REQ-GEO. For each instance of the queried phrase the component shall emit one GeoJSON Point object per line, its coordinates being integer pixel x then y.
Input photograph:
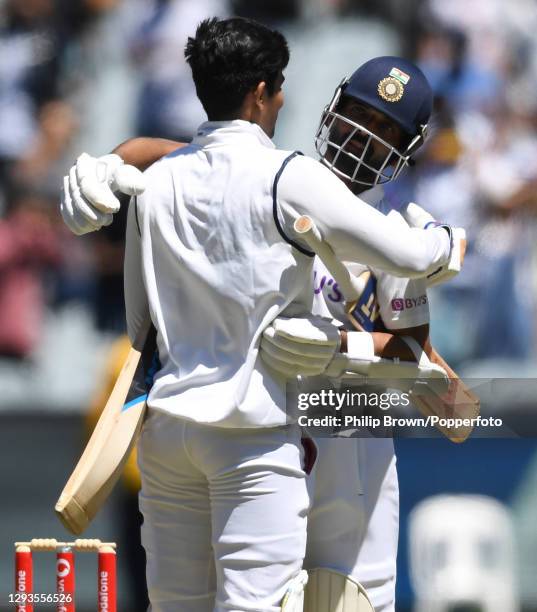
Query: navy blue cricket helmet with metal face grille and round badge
{"type": "Point", "coordinates": [398, 89]}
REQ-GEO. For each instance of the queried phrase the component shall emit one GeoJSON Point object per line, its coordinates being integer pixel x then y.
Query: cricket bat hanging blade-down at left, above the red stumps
{"type": "Point", "coordinates": [112, 440]}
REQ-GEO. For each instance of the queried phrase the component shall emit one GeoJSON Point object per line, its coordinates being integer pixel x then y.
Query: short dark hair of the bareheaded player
{"type": "Point", "coordinates": [229, 57]}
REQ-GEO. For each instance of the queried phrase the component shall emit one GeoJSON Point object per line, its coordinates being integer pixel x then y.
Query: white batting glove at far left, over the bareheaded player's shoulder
{"type": "Point", "coordinates": [88, 201]}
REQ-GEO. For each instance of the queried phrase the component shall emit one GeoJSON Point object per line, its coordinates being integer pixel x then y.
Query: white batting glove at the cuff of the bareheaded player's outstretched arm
{"type": "Point", "coordinates": [416, 216]}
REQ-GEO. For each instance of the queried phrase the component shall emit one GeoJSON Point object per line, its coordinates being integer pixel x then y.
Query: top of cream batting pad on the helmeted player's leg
{"type": "Point", "coordinates": [330, 591]}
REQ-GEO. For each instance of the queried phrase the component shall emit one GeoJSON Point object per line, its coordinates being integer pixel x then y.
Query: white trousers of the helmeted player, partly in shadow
{"type": "Point", "coordinates": [353, 525]}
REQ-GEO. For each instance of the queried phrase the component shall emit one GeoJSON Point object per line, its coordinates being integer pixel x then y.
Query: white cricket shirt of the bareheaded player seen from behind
{"type": "Point", "coordinates": [207, 253]}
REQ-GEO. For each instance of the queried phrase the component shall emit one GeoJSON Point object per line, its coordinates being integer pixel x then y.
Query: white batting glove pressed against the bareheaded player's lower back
{"type": "Point", "coordinates": [299, 346]}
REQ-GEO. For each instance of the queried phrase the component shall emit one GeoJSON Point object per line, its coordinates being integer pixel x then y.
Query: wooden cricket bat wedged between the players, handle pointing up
{"type": "Point", "coordinates": [460, 402]}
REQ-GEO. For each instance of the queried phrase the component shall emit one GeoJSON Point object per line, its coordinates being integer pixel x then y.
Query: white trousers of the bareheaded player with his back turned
{"type": "Point", "coordinates": [224, 514]}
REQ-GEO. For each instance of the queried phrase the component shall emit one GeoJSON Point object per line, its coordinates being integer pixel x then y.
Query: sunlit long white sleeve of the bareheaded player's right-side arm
{"type": "Point", "coordinates": [355, 230]}
